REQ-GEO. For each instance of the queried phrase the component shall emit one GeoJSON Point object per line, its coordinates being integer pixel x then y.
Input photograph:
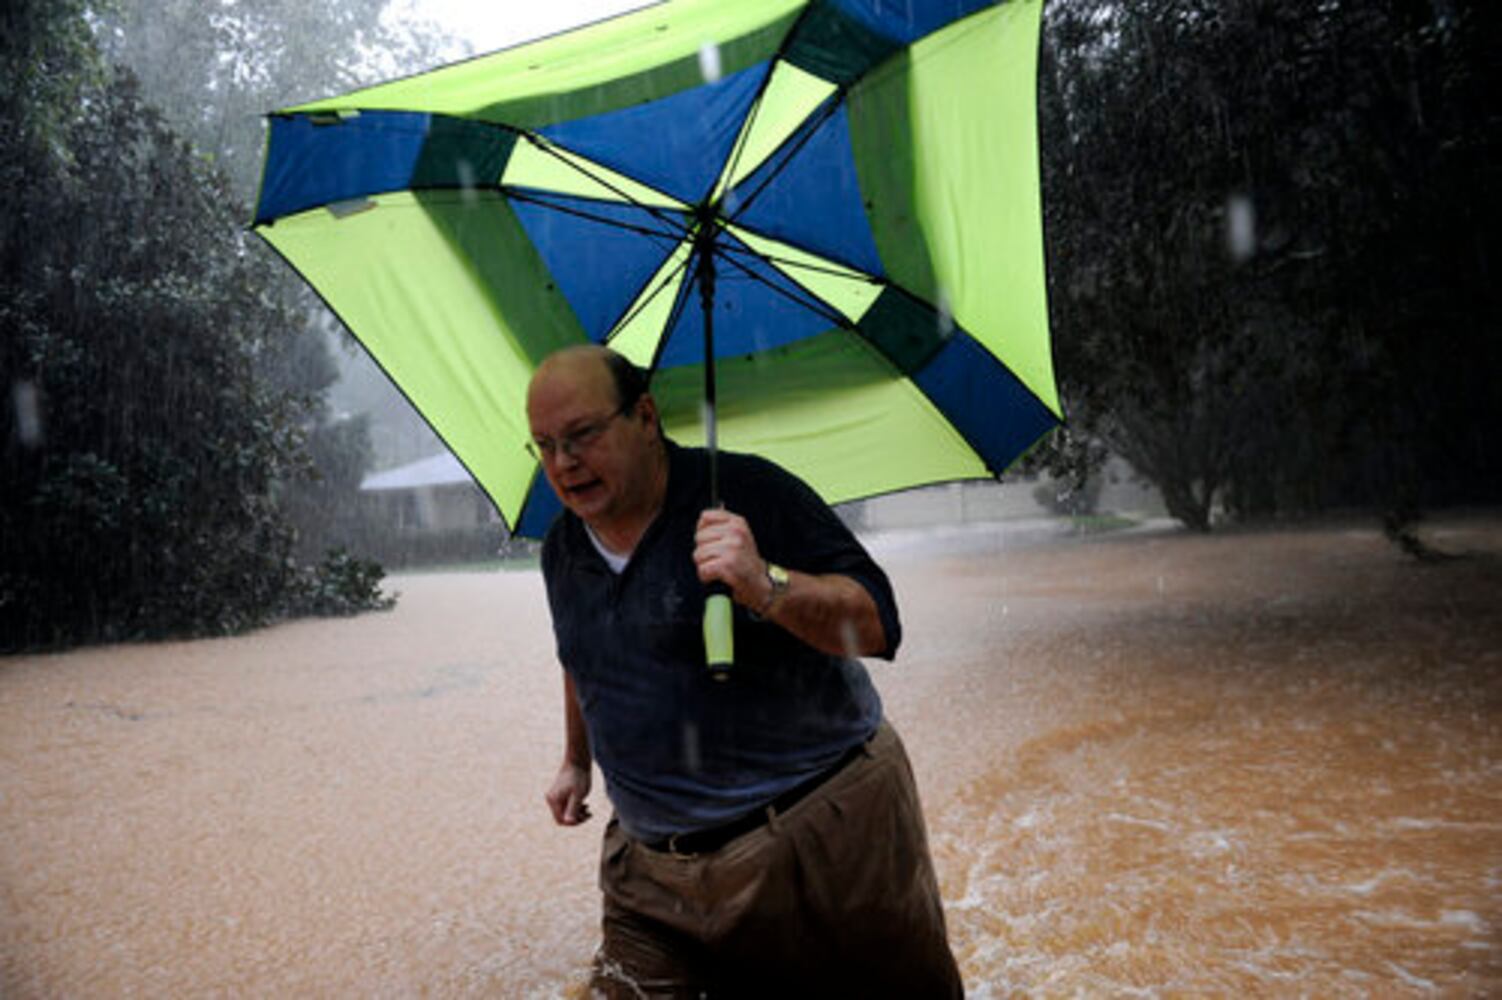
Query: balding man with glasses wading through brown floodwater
{"type": "Point", "coordinates": [768, 834]}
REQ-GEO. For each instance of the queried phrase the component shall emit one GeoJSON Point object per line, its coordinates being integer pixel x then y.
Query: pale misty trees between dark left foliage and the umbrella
{"type": "Point", "coordinates": [216, 73]}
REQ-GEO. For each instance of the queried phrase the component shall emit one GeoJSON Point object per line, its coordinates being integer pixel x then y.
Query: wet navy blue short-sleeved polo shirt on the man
{"type": "Point", "coordinates": [680, 750]}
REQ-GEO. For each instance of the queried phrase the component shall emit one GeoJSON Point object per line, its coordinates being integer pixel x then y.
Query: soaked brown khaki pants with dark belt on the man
{"type": "Point", "coordinates": [836, 897]}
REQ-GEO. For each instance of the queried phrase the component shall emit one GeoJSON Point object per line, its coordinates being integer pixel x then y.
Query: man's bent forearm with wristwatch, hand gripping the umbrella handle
{"type": "Point", "coordinates": [833, 613]}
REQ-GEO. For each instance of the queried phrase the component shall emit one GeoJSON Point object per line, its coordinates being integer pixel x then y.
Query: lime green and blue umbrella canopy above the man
{"type": "Point", "coordinates": [842, 194]}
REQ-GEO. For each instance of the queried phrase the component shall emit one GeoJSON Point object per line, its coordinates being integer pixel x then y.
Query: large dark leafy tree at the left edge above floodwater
{"type": "Point", "coordinates": [143, 442]}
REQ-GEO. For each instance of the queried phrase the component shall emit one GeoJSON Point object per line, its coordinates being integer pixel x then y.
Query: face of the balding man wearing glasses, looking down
{"type": "Point", "coordinates": [597, 457]}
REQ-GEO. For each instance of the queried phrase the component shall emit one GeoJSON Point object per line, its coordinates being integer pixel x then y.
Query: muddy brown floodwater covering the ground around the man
{"type": "Point", "coordinates": [1261, 764]}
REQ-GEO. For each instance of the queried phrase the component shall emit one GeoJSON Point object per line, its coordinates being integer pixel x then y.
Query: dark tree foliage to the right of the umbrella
{"type": "Point", "coordinates": [1271, 235]}
